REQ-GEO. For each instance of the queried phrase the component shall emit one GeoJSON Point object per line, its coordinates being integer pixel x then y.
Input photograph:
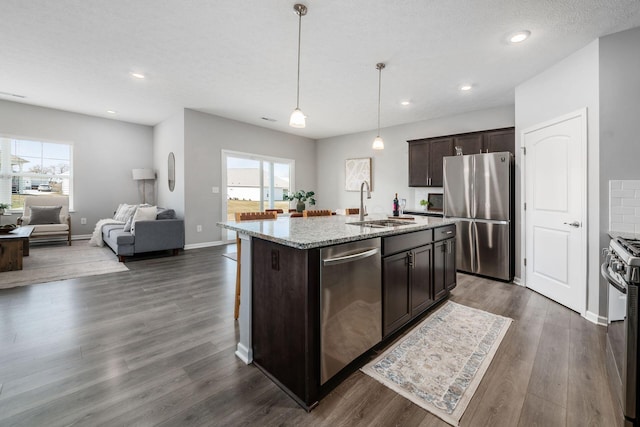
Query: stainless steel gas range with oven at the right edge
{"type": "Point", "coordinates": [622, 270]}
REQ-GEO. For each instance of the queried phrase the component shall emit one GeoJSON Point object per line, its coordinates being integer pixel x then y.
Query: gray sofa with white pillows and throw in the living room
{"type": "Point", "coordinates": [150, 236]}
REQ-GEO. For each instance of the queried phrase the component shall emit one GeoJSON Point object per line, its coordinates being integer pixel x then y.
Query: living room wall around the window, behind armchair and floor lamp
{"type": "Point", "coordinates": [104, 153]}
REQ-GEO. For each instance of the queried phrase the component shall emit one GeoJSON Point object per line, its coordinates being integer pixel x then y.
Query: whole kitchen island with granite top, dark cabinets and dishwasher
{"type": "Point", "coordinates": [291, 319]}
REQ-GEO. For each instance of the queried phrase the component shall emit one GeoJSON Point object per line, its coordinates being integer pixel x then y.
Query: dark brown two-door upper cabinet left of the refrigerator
{"type": "Point", "coordinates": [425, 161]}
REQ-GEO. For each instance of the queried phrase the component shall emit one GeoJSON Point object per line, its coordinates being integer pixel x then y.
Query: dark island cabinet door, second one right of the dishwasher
{"type": "Point", "coordinates": [420, 267]}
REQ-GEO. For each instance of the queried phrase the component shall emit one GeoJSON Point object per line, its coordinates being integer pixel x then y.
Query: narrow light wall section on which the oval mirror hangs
{"type": "Point", "coordinates": [168, 137]}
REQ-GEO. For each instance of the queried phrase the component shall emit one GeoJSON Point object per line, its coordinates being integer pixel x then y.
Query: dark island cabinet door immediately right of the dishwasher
{"type": "Point", "coordinates": [396, 307]}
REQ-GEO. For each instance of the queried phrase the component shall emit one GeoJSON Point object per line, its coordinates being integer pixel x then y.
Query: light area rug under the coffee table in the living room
{"type": "Point", "coordinates": [48, 263]}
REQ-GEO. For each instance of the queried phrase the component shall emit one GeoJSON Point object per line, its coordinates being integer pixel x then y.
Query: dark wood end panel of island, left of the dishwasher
{"type": "Point", "coordinates": [285, 323]}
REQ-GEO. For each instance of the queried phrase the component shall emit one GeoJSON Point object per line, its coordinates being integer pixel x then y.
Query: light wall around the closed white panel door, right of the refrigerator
{"type": "Point", "coordinates": [568, 86]}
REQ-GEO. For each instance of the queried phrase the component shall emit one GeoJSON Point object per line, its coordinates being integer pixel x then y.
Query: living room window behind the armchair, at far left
{"type": "Point", "coordinates": [34, 168]}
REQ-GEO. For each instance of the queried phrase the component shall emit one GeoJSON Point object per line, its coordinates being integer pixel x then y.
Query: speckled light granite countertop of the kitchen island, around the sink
{"type": "Point", "coordinates": [315, 232]}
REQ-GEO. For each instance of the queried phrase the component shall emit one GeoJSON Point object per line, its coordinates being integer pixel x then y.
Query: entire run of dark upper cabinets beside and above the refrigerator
{"type": "Point", "coordinates": [425, 155]}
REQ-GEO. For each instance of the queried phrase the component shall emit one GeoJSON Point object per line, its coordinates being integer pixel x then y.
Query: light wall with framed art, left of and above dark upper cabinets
{"type": "Point", "coordinates": [390, 166]}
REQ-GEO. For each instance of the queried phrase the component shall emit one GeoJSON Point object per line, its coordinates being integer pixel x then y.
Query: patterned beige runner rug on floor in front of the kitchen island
{"type": "Point", "coordinates": [439, 363]}
